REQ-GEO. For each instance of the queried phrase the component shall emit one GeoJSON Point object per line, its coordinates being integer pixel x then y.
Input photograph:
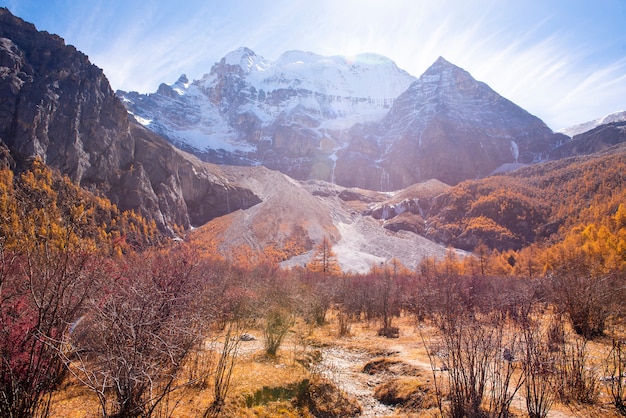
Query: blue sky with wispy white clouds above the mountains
{"type": "Point", "coordinates": [562, 60]}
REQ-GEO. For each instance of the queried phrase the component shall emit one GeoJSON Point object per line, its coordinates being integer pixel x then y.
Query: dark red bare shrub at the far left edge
{"type": "Point", "coordinates": [42, 293]}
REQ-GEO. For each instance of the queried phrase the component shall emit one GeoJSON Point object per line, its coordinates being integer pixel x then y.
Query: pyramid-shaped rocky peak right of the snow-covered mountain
{"type": "Point", "coordinates": [446, 126]}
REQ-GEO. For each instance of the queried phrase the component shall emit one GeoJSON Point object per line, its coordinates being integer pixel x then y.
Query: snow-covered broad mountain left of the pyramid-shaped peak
{"type": "Point", "coordinates": [246, 99]}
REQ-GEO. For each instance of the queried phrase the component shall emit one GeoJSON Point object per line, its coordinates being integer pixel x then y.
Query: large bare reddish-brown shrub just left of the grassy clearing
{"type": "Point", "coordinates": [132, 346]}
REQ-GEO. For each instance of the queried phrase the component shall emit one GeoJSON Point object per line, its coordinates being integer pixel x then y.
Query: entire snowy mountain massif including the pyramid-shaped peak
{"type": "Point", "coordinates": [363, 123]}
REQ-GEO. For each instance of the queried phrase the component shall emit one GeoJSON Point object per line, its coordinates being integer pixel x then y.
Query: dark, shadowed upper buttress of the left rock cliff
{"type": "Point", "coordinates": [58, 106]}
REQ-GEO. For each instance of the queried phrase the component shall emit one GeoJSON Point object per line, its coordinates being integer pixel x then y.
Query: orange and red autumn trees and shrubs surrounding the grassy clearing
{"type": "Point", "coordinates": [93, 295]}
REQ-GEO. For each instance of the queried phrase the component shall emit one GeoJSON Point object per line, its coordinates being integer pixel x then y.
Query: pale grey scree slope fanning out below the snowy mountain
{"type": "Point", "coordinates": [295, 216]}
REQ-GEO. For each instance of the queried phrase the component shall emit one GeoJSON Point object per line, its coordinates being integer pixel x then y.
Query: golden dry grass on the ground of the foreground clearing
{"type": "Point", "coordinates": [396, 371]}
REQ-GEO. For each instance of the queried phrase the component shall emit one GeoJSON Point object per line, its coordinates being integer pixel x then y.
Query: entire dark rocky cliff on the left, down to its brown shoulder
{"type": "Point", "coordinates": [59, 107]}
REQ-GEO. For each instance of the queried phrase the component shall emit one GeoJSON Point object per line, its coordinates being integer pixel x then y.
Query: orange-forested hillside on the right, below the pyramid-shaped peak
{"type": "Point", "coordinates": [534, 204]}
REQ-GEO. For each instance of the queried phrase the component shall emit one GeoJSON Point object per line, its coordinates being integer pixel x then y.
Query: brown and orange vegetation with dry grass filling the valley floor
{"type": "Point", "coordinates": [133, 329]}
